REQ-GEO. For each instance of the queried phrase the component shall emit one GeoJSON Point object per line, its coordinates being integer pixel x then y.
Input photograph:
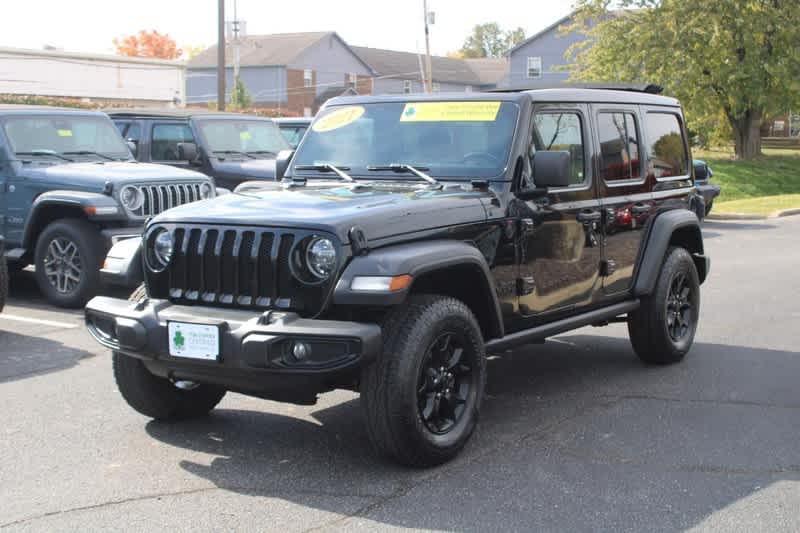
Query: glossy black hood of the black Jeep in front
{"type": "Point", "coordinates": [381, 210]}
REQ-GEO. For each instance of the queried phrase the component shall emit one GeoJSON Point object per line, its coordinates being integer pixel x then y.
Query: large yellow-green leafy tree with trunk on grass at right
{"type": "Point", "coordinates": [740, 58]}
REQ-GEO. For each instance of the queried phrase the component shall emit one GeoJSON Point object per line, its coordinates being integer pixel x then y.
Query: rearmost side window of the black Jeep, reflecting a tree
{"type": "Point", "coordinates": [666, 149]}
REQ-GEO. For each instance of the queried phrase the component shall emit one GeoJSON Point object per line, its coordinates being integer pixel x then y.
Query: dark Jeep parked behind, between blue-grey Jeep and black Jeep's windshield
{"type": "Point", "coordinates": [229, 147]}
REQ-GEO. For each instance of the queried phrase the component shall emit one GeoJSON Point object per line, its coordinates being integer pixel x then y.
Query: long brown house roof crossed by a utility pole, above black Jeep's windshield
{"type": "Point", "coordinates": [406, 65]}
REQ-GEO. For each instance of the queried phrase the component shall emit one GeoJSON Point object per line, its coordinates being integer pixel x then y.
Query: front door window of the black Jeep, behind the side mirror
{"type": "Point", "coordinates": [557, 131]}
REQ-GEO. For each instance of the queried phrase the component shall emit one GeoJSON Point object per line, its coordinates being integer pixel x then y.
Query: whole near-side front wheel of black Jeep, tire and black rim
{"type": "Point", "coordinates": [421, 398]}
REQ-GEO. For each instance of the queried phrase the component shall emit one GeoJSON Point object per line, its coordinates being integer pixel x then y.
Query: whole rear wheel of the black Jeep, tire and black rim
{"type": "Point", "coordinates": [662, 329]}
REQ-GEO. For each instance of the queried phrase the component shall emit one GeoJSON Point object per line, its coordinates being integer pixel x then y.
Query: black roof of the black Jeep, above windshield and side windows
{"type": "Point", "coordinates": [535, 95]}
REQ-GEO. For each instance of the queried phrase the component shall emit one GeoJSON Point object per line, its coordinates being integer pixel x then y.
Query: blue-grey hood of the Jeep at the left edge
{"type": "Point", "coordinates": [94, 175]}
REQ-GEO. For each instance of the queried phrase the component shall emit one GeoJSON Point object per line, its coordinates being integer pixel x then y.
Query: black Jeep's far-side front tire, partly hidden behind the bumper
{"type": "Point", "coordinates": [157, 397]}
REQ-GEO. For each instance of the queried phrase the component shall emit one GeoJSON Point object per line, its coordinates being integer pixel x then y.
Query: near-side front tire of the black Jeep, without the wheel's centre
{"type": "Point", "coordinates": [389, 394]}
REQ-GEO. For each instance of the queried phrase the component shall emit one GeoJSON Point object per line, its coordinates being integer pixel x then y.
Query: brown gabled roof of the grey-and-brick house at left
{"type": "Point", "coordinates": [279, 49]}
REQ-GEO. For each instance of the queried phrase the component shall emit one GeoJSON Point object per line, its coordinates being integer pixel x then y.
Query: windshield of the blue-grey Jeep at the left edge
{"type": "Point", "coordinates": [57, 135]}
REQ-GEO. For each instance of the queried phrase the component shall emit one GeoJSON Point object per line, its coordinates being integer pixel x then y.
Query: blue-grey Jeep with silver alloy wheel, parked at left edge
{"type": "Point", "coordinates": [70, 189]}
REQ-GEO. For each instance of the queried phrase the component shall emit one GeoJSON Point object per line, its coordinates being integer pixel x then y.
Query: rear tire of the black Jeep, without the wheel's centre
{"type": "Point", "coordinates": [648, 326]}
